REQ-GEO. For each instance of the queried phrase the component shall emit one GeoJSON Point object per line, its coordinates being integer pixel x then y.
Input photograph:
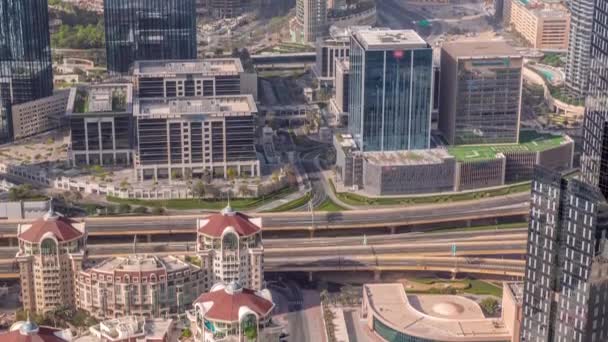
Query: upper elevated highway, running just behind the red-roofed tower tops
{"type": "Point", "coordinates": [499, 207]}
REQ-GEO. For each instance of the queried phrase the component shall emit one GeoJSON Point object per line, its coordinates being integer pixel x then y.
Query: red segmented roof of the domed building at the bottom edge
{"type": "Point", "coordinates": [228, 302]}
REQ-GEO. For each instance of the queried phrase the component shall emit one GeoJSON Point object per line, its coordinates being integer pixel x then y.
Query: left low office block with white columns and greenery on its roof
{"type": "Point", "coordinates": [101, 125]}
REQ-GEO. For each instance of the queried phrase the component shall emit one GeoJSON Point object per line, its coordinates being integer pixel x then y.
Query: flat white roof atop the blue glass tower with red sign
{"type": "Point", "coordinates": [387, 39]}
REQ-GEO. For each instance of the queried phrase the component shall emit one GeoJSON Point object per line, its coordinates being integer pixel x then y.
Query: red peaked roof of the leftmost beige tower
{"type": "Point", "coordinates": [62, 228]}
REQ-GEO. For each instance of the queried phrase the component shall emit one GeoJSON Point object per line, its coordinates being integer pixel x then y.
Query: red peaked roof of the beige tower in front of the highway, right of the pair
{"type": "Point", "coordinates": [214, 225]}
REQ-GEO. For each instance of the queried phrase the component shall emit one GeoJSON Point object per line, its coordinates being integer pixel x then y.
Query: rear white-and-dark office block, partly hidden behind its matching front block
{"type": "Point", "coordinates": [171, 78]}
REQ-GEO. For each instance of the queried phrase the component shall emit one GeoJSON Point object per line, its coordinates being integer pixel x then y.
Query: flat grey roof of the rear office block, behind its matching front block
{"type": "Point", "coordinates": [172, 68]}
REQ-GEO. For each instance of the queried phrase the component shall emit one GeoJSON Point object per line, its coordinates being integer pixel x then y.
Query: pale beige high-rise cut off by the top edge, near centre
{"type": "Point", "coordinates": [310, 22]}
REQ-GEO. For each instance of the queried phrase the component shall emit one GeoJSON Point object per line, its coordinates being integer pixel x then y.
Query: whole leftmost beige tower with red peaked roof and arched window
{"type": "Point", "coordinates": [51, 253]}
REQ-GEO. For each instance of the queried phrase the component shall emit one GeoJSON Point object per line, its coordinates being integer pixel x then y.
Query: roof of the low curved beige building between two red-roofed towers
{"type": "Point", "coordinates": [142, 263]}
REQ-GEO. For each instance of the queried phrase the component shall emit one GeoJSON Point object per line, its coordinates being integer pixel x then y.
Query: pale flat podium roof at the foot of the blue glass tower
{"type": "Point", "coordinates": [411, 157]}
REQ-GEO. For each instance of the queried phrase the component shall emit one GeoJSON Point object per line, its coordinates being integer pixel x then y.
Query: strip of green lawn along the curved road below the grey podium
{"type": "Point", "coordinates": [355, 199]}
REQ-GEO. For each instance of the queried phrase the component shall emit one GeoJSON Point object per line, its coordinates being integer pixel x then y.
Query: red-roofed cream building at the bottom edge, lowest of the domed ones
{"type": "Point", "coordinates": [233, 313]}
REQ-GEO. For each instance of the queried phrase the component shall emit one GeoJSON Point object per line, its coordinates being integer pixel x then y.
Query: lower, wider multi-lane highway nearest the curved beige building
{"type": "Point", "coordinates": [430, 251]}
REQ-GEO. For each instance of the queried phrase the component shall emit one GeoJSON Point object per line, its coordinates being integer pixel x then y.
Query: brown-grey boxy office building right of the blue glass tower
{"type": "Point", "coordinates": [481, 85]}
